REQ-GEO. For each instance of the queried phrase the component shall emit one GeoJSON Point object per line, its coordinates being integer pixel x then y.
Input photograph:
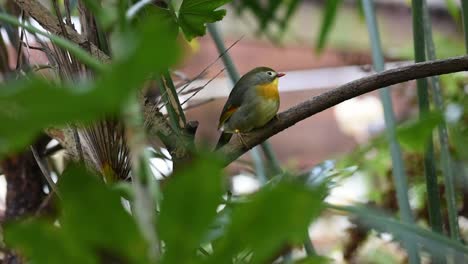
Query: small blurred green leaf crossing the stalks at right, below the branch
{"type": "Point", "coordinates": [415, 135]}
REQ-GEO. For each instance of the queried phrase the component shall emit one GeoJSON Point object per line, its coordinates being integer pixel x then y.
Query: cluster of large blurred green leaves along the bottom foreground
{"type": "Point", "coordinates": [86, 234]}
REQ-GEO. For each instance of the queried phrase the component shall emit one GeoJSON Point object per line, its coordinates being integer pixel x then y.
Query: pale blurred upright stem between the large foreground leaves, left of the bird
{"type": "Point", "coordinates": [145, 185]}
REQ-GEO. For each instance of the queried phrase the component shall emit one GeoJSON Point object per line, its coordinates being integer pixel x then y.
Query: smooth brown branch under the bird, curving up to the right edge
{"type": "Point", "coordinates": [319, 103]}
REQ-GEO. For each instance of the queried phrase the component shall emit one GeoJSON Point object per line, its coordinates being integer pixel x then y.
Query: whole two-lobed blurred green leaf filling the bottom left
{"type": "Point", "coordinates": [93, 225]}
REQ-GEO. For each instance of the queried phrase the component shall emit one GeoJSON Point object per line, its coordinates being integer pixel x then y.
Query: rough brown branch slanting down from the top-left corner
{"type": "Point", "coordinates": [49, 22]}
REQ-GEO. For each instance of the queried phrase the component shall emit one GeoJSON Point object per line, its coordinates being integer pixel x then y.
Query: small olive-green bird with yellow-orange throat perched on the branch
{"type": "Point", "coordinates": [252, 103]}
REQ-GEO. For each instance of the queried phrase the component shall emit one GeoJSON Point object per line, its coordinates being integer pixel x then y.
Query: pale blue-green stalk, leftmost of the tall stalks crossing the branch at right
{"type": "Point", "coordinates": [399, 175]}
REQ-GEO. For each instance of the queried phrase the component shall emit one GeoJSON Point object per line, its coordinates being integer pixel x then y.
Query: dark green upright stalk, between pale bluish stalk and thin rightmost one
{"type": "Point", "coordinates": [432, 187]}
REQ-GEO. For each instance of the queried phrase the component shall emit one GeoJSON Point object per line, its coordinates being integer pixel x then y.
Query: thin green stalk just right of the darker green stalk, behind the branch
{"type": "Point", "coordinates": [447, 169]}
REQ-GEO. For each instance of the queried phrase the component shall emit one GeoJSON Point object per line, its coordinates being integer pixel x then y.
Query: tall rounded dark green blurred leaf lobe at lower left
{"type": "Point", "coordinates": [87, 206]}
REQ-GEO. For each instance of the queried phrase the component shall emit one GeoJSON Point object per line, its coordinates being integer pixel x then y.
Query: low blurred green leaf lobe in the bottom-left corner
{"type": "Point", "coordinates": [42, 242]}
